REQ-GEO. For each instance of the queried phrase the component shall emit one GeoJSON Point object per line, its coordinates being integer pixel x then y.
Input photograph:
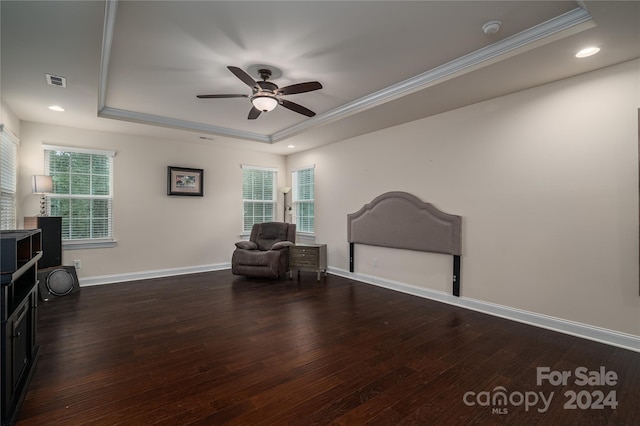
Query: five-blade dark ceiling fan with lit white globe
{"type": "Point", "coordinates": [265, 95]}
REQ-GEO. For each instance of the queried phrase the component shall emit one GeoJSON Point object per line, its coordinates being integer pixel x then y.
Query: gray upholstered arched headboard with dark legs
{"type": "Point", "coordinates": [401, 220]}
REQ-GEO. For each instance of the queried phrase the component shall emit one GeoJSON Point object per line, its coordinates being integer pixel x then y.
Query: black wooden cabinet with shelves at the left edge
{"type": "Point", "coordinates": [19, 254]}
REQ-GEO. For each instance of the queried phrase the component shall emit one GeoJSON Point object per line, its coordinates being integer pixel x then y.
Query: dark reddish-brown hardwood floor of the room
{"type": "Point", "coordinates": [214, 349]}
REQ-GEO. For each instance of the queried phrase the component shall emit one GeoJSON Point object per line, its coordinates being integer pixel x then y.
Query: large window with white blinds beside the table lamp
{"type": "Point", "coordinates": [82, 193]}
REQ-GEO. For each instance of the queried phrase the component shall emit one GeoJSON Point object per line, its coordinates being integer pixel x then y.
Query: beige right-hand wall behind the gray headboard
{"type": "Point", "coordinates": [546, 181]}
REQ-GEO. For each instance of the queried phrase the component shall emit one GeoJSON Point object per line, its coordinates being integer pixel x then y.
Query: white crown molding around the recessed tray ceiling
{"type": "Point", "coordinates": [564, 25]}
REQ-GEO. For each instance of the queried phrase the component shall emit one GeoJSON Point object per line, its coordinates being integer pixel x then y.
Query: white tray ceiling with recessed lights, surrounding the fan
{"type": "Point", "coordinates": [137, 66]}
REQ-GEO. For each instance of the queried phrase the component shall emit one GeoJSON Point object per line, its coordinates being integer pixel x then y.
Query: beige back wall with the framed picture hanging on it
{"type": "Point", "coordinates": [154, 231]}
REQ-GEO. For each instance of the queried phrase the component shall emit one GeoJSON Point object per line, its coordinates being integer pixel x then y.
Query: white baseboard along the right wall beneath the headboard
{"type": "Point", "coordinates": [585, 331]}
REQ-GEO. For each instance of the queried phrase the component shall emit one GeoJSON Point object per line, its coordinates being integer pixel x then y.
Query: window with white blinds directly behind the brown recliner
{"type": "Point", "coordinates": [258, 196]}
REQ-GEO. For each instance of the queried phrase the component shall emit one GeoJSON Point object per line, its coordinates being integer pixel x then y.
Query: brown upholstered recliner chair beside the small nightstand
{"type": "Point", "coordinates": [266, 254]}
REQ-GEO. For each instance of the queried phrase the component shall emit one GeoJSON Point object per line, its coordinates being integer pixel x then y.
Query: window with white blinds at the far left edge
{"type": "Point", "coordinates": [8, 179]}
